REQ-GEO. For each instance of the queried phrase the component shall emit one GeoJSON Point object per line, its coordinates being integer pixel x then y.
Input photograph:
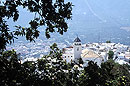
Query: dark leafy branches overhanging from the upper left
{"type": "Point", "coordinates": [49, 13]}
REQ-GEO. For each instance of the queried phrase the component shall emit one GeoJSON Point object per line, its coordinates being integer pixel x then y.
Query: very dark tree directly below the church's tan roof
{"type": "Point", "coordinates": [94, 74]}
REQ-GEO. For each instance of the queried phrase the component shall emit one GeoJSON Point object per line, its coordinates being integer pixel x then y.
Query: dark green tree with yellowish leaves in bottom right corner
{"type": "Point", "coordinates": [115, 74]}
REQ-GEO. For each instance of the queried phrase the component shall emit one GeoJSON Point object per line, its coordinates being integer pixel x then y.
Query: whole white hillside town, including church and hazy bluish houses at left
{"type": "Point", "coordinates": [97, 52]}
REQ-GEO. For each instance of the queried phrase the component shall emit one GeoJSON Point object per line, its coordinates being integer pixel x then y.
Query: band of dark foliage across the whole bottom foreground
{"type": "Point", "coordinates": [51, 70]}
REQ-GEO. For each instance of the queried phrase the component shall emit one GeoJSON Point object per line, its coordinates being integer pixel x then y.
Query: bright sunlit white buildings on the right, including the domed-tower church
{"type": "Point", "coordinates": [97, 52]}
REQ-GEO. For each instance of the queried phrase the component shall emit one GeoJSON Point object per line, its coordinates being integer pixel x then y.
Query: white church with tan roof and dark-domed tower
{"type": "Point", "coordinates": [76, 51]}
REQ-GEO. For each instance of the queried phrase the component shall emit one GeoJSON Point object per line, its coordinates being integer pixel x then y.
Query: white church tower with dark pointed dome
{"type": "Point", "coordinates": [77, 48]}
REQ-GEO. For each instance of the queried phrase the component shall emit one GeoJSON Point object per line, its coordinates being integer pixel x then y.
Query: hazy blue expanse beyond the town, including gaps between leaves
{"type": "Point", "coordinates": [93, 21]}
